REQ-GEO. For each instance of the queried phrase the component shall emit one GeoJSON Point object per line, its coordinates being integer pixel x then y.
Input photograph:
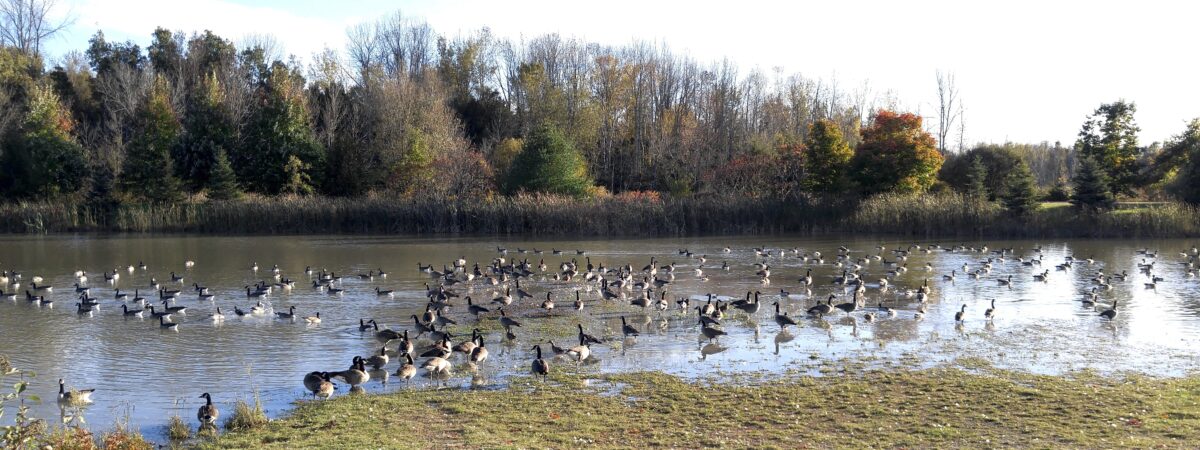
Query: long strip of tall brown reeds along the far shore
{"type": "Point", "coordinates": [931, 217]}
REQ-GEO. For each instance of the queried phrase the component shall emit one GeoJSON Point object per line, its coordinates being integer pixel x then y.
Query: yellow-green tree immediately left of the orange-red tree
{"type": "Point", "coordinates": [829, 158]}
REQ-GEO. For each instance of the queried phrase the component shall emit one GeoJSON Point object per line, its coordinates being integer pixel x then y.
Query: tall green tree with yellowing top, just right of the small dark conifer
{"type": "Point", "coordinates": [277, 133]}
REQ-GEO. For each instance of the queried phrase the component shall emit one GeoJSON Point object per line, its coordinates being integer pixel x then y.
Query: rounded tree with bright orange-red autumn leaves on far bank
{"type": "Point", "coordinates": [897, 155]}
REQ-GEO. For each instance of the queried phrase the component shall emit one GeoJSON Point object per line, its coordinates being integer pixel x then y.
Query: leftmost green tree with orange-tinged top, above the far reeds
{"type": "Point", "coordinates": [44, 160]}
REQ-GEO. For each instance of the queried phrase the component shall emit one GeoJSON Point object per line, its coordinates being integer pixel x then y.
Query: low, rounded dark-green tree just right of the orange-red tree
{"type": "Point", "coordinates": [998, 161]}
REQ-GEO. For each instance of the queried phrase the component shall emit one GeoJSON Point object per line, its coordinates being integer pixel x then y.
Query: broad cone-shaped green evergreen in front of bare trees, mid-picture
{"type": "Point", "coordinates": [549, 164]}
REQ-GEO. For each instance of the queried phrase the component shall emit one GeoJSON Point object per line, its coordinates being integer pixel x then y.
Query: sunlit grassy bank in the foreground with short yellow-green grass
{"type": "Point", "coordinates": [931, 409]}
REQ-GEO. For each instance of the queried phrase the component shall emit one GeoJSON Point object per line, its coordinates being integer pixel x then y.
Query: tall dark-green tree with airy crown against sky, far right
{"type": "Point", "coordinates": [1111, 139]}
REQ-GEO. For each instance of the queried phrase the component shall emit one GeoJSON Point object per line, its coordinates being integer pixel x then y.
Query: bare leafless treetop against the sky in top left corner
{"type": "Point", "coordinates": [25, 25]}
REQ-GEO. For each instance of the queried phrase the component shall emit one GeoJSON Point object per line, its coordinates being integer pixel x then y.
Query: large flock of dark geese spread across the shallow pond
{"type": "Point", "coordinates": [587, 284]}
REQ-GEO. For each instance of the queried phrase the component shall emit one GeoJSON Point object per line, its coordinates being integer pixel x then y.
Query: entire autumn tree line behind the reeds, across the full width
{"type": "Point", "coordinates": [409, 112]}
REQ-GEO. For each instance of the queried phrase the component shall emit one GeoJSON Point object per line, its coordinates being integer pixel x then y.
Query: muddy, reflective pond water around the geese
{"type": "Point", "coordinates": [147, 374]}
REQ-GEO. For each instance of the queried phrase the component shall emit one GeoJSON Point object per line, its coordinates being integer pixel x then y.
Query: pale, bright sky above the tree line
{"type": "Point", "coordinates": [1027, 71]}
